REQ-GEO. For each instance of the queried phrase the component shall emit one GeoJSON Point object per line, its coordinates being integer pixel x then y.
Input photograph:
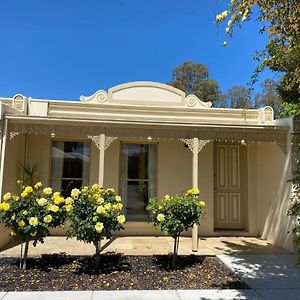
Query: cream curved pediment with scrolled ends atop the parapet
{"type": "Point", "coordinates": [146, 93]}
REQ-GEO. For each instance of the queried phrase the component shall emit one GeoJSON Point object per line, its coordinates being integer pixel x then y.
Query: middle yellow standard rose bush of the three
{"type": "Point", "coordinates": [96, 214]}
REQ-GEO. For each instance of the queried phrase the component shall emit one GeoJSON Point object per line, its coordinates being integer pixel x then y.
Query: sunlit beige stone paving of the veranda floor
{"type": "Point", "coordinates": [148, 245]}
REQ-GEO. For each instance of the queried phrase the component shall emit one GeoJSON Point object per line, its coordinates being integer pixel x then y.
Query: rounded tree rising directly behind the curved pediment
{"type": "Point", "coordinates": [193, 78]}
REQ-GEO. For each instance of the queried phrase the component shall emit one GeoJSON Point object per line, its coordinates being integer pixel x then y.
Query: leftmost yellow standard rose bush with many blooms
{"type": "Point", "coordinates": [30, 213]}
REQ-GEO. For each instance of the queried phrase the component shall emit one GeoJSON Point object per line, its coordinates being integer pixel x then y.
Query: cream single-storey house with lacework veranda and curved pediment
{"type": "Point", "coordinates": [148, 139]}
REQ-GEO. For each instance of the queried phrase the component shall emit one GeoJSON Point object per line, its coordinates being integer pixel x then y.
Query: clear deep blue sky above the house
{"type": "Point", "coordinates": [61, 49]}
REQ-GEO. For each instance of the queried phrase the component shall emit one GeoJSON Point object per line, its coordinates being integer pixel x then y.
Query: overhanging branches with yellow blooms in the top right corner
{"type": "Point", "coordinates": [281, 21]}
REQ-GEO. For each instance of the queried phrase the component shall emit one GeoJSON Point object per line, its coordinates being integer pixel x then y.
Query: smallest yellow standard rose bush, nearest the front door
{"type": "Point", "coordinates": [173, 215]}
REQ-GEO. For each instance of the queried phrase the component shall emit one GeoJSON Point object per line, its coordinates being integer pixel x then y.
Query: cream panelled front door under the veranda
{"type": "Point", "coordinates": [229, 186]}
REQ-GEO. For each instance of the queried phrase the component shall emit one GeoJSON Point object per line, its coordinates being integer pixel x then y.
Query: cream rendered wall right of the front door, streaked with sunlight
{"type": "Point", "coordinates": [274, 169]}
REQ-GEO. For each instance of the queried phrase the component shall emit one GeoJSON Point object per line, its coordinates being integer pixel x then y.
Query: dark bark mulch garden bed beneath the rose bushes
{"type": "Point", "coordinates": [117, 272]}
